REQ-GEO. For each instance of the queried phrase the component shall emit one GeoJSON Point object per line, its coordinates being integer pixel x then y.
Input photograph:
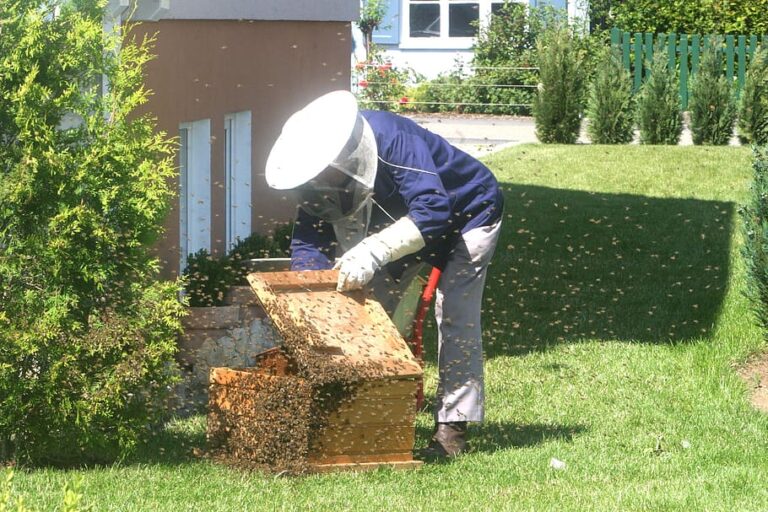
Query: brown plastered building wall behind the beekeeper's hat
{"type": "Point", "coordinates": [207, 69]}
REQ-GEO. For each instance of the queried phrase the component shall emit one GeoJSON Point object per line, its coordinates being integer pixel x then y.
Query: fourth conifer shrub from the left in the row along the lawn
{"type": "Point", "coordinates": [711, 107]}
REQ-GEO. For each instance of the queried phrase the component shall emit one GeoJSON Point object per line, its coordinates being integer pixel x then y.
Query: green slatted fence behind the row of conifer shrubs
{"type": "Point", "coordinates": [684, 53]}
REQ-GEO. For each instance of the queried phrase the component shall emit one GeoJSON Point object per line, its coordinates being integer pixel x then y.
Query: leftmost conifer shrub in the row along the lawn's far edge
{"type": "Point", "coordinates": [562, 83]}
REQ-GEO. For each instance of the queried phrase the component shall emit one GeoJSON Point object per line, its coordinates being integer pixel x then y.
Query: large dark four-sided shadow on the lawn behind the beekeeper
{"type": "Point", "coordinates": [574, 265]}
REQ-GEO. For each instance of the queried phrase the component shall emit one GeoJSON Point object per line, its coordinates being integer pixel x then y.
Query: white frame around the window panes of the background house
{"type": "Point", "coordinates": [443, 41]}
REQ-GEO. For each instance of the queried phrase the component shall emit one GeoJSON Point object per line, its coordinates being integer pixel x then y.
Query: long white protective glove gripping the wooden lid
{"type": "Point", "coordinates": [358, 265]}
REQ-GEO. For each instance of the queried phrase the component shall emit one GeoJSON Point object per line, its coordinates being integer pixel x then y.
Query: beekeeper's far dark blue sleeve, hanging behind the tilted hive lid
{"type": "Point", "coordinates": [312, 244]}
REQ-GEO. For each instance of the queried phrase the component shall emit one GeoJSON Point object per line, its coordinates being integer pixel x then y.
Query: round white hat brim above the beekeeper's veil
{"type": "Point", "coordinates": [311, 139]}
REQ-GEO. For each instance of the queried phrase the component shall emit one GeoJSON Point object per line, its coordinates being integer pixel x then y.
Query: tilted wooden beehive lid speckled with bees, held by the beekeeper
{"type": "Point", "coordinates": [349, 331]}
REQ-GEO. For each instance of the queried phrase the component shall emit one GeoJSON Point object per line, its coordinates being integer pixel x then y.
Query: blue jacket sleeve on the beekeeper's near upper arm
{"type": "Point", "coordinates": [416, 179]}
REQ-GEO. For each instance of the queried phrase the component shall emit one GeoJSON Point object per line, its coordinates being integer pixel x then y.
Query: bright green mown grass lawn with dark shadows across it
{"type": "Point", "coordinates": [614, 317]}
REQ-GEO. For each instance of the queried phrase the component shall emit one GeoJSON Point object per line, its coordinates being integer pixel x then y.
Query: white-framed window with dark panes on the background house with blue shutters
{"type": "Point", "coordinates": [447, 23]}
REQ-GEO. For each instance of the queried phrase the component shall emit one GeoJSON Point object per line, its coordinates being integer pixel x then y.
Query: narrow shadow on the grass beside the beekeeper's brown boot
{"type": "Point", "coordinates": [489, 437]}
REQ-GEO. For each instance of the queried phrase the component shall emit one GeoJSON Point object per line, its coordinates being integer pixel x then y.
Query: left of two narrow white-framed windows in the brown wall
{"type": "Point", "coordinates": [195, 188]}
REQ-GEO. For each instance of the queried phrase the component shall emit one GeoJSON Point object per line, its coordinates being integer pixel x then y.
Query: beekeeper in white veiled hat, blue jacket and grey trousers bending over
{"type": "Point", "coordinates": [379, 195]}
